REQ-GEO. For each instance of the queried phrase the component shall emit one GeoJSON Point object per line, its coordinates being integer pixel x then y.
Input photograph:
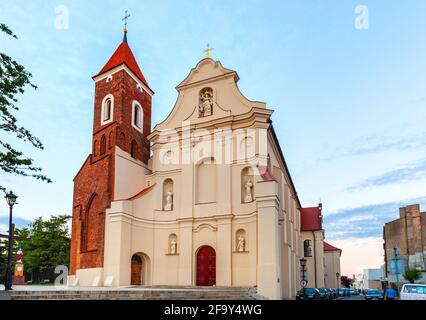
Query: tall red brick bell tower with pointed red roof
{"type": "Point", "coordinates": [122, 119]}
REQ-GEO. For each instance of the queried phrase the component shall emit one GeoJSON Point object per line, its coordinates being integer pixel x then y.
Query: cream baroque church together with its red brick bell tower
{"type": "Point", "coordinates": [204, 198]}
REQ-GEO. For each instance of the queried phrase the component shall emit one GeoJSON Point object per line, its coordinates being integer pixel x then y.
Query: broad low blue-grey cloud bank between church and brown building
{"type": "Point", "coordinates": [365, 221]}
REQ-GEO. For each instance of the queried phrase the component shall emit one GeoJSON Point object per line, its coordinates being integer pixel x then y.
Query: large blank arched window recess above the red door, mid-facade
{"type": "Point", "coordinates": [206, 181]}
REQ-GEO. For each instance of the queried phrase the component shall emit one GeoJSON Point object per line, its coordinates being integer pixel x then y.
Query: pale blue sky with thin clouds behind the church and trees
{"type": "Point", "coordinates": [349, 103]}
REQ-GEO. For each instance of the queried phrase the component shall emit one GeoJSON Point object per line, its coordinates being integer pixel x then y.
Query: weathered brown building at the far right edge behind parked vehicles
{"type": "Point", "coordinates": [408, 234]}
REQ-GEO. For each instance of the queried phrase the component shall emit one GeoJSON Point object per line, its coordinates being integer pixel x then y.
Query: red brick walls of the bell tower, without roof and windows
{"type": "Point", "coordinates": [94, 183]}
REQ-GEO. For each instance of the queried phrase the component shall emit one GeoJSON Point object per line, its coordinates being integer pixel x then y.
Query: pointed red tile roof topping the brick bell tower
{"type": "Point", "coordinates": [124, 55]}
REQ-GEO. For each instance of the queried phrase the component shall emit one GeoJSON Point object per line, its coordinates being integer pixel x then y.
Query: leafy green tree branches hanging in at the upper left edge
{"type": "Point", "coordinates": [13, 80]}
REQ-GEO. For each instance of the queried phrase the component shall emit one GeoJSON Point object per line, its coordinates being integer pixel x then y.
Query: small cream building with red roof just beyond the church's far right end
{"type": "Point", "coordinates": [331, 266]}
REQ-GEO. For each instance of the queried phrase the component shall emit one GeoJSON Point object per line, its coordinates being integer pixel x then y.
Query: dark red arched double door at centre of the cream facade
{"type": "Point", "coordinates": [206, 266]}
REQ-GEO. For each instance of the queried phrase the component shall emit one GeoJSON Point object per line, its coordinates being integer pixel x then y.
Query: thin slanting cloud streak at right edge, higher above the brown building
{"type": "Point", "coordinates": [405, 174]}
